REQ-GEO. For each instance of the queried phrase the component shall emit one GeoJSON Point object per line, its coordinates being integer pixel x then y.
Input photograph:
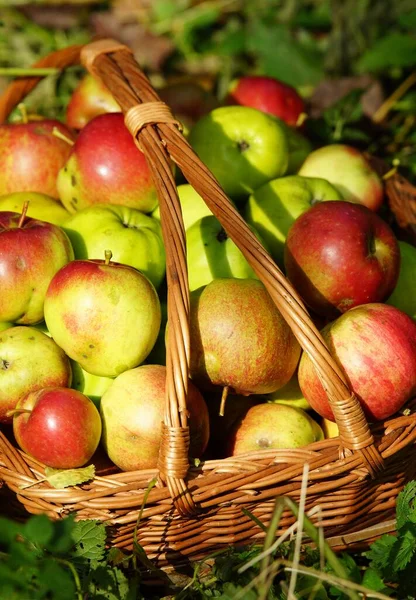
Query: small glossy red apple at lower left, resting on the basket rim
{"type": "Point", "coordinates": [58, 426]}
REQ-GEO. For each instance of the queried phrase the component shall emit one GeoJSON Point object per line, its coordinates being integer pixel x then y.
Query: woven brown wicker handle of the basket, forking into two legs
{"type": "Point", "coordinates": [161, 141]}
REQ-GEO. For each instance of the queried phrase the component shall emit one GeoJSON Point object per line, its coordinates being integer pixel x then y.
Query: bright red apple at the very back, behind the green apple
{"type": "Point", "coordinates": [268, 95]}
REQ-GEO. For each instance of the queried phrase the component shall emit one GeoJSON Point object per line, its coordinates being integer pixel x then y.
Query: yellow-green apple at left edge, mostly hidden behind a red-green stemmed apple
{"type": "Point", "coordinates": [40, 207]}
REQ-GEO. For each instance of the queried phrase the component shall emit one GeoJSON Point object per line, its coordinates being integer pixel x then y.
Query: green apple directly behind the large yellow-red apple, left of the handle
{"type": "Point", "coordinates": [134, 238]}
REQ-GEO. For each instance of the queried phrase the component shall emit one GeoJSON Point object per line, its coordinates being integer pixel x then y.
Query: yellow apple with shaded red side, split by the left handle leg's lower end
{"type": "Point", "coordinates": [132, 412]}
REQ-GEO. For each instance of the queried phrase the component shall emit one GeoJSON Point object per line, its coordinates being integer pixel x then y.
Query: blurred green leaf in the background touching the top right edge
{"type": "Point", "coordinates": [393, 50]}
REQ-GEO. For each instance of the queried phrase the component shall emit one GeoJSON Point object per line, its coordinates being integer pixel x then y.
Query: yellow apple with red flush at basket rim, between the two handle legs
{"type": "Point", "coordinates": [268, 426]}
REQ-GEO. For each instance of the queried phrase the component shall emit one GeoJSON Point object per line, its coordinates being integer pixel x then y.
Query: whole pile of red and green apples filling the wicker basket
{"type": "Point", "coordinates": [83, 292]}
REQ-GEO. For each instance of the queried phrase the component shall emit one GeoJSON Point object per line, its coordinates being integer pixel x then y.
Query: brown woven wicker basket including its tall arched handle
{"type": "Point", "coordinates": [195, 510]}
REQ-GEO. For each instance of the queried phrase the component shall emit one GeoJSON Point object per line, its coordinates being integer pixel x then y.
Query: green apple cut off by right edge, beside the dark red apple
{"type": "Point", "coordinates": [404, 294]}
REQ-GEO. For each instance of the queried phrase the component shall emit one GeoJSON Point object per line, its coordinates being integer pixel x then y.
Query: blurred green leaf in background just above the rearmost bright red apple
{"type": "Point", "coordinates": [280, 55]}
